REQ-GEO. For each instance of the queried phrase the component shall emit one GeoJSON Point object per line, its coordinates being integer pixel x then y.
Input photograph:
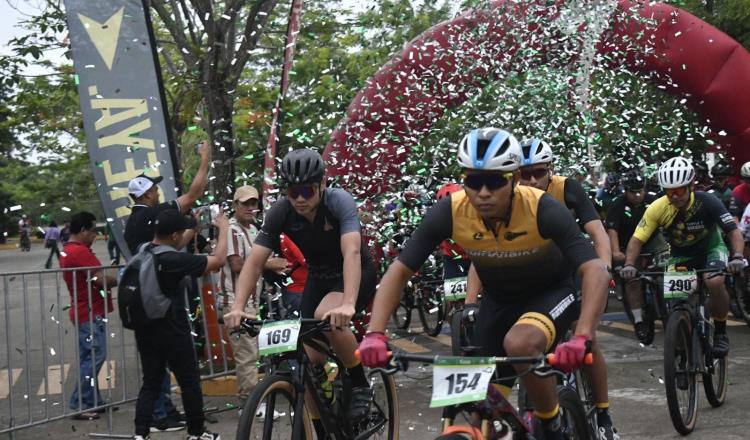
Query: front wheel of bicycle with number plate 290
{"type": "Point", "coordinates": [680, 381]}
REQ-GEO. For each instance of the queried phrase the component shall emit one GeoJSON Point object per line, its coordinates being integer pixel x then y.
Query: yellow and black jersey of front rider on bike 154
{"type": "Point", "coordinates": [539, 246]}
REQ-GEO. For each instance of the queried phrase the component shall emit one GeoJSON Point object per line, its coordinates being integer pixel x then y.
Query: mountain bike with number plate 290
{"type": "Point", "coordinates": [688, 348]}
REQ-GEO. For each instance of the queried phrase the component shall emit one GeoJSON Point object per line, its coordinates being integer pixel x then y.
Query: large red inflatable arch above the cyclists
{"type": "Point", "coordinates": [437, 70]}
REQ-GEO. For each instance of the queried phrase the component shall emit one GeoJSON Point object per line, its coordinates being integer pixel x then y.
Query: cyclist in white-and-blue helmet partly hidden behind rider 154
{"type": "Point", "coordinates": [536, 171]}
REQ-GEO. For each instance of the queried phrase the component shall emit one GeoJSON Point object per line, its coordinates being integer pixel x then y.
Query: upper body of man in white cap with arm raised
{"type": "Point", "coordinates": [144, 190]}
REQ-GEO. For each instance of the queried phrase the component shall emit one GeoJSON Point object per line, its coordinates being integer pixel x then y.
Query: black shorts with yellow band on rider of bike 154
{"type": "Point", "coordinates": [552, 311]}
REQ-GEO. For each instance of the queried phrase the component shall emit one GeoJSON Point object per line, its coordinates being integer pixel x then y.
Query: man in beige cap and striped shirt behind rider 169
{"type": "Point", "coordinates": [242, 232]}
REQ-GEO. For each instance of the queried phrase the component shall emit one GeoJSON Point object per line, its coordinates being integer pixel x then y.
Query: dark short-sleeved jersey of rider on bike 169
{"type": "Point", "coordinates": [319, 241]}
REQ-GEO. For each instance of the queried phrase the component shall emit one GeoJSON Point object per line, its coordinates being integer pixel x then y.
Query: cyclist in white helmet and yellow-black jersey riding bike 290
{"type": "Point", "coordinates": [690, 221]}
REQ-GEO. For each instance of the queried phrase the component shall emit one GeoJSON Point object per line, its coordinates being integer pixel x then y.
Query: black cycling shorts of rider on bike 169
{"type": "Point", "coordinates": [316, 288]}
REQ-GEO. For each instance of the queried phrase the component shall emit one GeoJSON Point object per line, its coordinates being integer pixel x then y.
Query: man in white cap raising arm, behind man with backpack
{"type": "Point", "coordinates": [139, 229]}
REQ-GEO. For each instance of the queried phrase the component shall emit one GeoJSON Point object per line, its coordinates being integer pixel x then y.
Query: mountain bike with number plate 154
{"type": "Point", "coordinates": [456, 379]}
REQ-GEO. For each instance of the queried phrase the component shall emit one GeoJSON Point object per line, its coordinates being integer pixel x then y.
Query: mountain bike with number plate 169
{"type": "Point", "coordinates": [280, 400]}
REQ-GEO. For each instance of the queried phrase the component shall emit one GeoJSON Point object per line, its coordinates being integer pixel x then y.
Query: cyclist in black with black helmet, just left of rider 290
{"type": "Point", "coordinates": [622, 218]}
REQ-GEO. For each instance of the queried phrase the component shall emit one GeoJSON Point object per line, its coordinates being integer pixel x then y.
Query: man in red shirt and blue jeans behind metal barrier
{"type": "Point", "coordinates": [88, 290]}
